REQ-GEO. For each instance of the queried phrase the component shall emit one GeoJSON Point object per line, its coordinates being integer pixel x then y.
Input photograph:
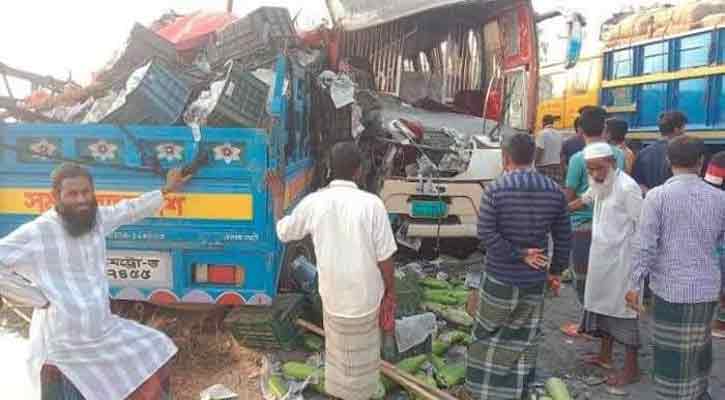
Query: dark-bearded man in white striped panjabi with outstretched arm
{"type": "Point", "coordinates": [79, 350]}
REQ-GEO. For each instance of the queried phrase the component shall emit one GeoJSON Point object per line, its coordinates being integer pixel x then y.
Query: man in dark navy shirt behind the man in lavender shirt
{"type": "Point", "coordinates": [651, 167]}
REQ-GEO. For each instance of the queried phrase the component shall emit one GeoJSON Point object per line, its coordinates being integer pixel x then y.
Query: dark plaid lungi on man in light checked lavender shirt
{"type": "Point", "coordinates": [682, 349]}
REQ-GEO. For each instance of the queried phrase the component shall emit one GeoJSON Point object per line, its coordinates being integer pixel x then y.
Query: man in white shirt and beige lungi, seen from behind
{"type": "Point", "coordinates": [354, 245]}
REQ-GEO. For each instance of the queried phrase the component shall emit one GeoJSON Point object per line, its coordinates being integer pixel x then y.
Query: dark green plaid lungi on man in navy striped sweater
{"type": "Point", "coordinates": [501, 361]}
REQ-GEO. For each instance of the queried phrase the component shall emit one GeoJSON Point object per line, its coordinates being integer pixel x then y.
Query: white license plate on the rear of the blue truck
{"type": "Point", "coordinates": [138, 268]}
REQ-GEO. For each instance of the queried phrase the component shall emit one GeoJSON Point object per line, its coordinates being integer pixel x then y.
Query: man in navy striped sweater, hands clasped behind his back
{"type": "Point", "coordinates": [518, 213]}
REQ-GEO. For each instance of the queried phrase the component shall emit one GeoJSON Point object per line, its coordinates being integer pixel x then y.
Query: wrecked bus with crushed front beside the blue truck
{"type": "Point", "coordinates": [468, 74]}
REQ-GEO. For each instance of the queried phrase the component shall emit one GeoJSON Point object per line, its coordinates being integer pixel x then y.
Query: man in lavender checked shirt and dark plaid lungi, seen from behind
{"type": "Point", "coordinates": [682, 222]}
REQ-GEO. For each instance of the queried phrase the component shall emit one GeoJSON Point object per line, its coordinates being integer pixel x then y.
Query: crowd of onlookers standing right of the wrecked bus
{"type": "Point", "coordinates": [630, 227]}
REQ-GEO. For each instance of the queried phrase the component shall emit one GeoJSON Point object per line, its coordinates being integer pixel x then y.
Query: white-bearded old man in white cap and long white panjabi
{"type": "Point", "coordinates": [617, 202]}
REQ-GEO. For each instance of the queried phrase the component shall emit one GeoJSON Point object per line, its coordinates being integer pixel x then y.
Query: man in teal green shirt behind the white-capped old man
{"type": "Point", "coordinates": [592, 122]}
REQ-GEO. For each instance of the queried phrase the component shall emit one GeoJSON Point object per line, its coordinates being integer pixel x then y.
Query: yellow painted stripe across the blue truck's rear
{"type": "Point", "coordinates": [177, 206]}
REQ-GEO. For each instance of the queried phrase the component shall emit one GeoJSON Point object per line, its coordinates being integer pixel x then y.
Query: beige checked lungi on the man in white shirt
{"type": "Point", "coordinates": [352, 356]}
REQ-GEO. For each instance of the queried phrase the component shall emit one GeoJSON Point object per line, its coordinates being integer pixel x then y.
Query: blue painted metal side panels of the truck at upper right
{"type": "Point", "coordinates": [701, 99]}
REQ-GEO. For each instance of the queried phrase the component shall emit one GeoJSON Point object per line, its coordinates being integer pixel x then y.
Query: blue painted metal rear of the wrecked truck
{"type": "Point", "coordinates": [252, 243]}
